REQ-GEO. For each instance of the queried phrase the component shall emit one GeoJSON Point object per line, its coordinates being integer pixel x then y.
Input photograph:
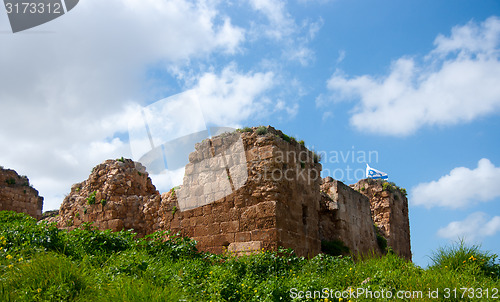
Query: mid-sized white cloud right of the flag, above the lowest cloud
{"type": "Point", "coordinates": [462, 187]}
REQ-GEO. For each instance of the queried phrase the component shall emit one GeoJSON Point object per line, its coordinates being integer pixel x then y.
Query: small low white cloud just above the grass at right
{"type": "Point", "coordinates": [475, 227]}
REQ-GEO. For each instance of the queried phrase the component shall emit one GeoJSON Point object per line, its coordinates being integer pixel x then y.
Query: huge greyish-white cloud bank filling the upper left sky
{"type": "Point", "coordinates": [67, 87]}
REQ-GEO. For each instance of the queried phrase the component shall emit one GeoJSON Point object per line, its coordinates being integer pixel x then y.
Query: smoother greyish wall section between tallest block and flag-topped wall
{"type": "Point", "coordinates": [346, 216]}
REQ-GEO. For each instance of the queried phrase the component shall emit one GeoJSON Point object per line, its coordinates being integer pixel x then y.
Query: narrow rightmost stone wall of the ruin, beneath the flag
{"type": "Point", "coordinates": [390, 213]}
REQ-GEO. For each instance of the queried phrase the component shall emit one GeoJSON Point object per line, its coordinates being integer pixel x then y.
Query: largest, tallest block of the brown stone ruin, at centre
{"type": "Point", "coordinates": [272, 201]}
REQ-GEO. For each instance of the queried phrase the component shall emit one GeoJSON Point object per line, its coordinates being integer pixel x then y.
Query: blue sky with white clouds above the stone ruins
{"type": "Point", "coordinates": [413, 84]}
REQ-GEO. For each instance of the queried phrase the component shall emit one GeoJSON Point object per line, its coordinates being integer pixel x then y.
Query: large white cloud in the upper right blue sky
{"type": "Point", "coordinates": [456, 83]}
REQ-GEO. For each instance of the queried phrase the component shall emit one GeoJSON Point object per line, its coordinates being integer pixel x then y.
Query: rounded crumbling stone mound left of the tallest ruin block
{"type": "Point", "coordinates": [115, 196]}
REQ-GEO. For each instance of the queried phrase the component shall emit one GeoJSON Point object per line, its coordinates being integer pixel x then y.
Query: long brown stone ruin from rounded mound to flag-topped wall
{"type": "Point", "coordinates": [242, 192]}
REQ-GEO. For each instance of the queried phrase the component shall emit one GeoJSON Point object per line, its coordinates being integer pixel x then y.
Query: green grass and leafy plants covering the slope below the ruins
{"type": "Point", "coordinates": [38, 262]}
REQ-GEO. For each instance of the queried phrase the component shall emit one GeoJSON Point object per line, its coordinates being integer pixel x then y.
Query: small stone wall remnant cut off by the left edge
{"type": "Point", "coordinates": [17, 195]}
